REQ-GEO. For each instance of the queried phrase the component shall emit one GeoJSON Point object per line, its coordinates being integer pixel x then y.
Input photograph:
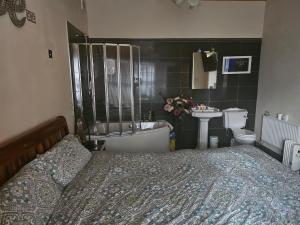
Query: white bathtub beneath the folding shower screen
{"type": "Point", "coordinates": [148, 137]}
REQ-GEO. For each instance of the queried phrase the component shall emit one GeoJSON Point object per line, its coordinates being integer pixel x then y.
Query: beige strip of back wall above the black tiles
{"type": "Point", "coordinates": [163, 19]}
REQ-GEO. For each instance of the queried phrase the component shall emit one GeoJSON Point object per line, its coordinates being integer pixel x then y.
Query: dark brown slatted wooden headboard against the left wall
{"type": "Point", "coordinates": [20, 150]}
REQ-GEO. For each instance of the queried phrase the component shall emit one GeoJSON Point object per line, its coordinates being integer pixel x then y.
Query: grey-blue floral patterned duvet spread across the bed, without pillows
{"type": "Point", "coordinates": [239, 185]}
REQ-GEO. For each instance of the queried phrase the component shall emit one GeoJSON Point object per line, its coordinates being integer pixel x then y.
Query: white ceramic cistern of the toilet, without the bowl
{"type": "Point", "coordinates": [234, 118]}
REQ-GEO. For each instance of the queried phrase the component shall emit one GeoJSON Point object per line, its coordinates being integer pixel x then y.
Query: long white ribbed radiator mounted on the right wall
{"type": "Point", "coordinates": [275, 132]}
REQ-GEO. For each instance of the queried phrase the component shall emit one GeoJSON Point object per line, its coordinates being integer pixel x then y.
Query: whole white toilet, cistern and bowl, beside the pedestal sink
{"type": "Point", "coordinates": [235, 119]}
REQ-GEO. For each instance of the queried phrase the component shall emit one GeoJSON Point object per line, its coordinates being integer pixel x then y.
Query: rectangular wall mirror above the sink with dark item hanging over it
{"type": "Point", "coordinates": [204, 72]}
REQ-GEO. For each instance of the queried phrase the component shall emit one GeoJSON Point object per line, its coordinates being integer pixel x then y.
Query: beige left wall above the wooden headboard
{"type": "Point", "coordinates": [34, 88]}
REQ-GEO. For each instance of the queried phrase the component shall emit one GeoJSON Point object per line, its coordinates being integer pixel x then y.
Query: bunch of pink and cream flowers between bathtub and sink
{"type": "Point", "coordinates": [178, 106]}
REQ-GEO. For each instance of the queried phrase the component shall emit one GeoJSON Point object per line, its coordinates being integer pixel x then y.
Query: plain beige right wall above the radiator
{"type": "Point", "coordinates": [279, 79]}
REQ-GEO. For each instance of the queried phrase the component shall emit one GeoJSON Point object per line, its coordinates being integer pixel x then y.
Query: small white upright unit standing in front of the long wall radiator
{"type": "Point", "coordinates": [291, 155]}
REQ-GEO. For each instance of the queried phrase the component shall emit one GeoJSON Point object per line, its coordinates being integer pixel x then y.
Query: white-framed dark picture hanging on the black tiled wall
{"type": "Point", "coordinates": [237, 64]}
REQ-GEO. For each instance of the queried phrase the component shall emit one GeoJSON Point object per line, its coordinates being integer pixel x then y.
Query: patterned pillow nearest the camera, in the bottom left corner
{"type": "Point", "coordinates": [29, 197]}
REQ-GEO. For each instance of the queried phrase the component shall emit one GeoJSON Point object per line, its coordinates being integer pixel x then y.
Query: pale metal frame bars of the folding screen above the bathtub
{"type": "Point", "coordinates": [77, 75]}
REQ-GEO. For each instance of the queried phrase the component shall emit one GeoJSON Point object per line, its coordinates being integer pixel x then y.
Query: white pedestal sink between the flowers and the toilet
{"type": "Point", "coordinates": [204, 118]}
